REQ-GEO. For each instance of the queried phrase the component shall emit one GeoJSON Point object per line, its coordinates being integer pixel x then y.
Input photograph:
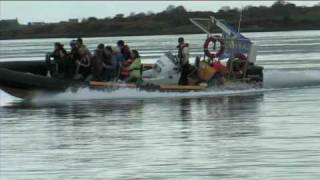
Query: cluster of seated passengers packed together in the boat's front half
{"type": "Point", "coordinates": [106, 63]}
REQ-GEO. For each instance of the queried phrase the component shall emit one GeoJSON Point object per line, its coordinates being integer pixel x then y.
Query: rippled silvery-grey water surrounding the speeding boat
{"type": "Point", "coordinates": [269, 133]}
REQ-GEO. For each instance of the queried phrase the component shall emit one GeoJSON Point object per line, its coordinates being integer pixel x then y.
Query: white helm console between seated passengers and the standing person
{"type": "Point", "coordinates": [165, 71]}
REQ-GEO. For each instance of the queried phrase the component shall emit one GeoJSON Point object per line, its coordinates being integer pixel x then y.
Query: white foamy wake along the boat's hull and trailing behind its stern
{"type": "Point", "coordinates": [273, 80]}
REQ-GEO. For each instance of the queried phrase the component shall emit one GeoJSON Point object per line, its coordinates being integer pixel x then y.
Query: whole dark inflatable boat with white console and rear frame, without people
{"type": "Point", "coordinates": [236, 52]}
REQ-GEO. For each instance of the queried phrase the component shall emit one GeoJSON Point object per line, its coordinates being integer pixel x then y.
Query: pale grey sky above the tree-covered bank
{"type": "Point", "coordinates": [55, 11]}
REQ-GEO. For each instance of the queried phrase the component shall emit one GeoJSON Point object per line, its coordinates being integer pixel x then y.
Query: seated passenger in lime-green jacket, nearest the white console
{"type": "Point", "coordinates": [135, 67]}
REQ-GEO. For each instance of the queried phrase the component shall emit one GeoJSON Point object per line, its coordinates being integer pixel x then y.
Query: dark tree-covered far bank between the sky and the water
{"type": "Point", "coordinates": [173, 20]}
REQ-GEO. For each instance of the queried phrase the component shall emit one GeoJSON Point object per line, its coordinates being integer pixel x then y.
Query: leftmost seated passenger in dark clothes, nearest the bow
{"type": "Point", "coordinates": [59, 54]}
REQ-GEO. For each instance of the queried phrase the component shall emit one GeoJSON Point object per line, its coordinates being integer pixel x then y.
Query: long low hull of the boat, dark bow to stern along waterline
{"type": "Point", "coordinates": [27, 79]}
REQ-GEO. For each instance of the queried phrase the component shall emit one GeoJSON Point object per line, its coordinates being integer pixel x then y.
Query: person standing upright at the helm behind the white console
{"type": "Point", "coordinates": [183, 56]}
